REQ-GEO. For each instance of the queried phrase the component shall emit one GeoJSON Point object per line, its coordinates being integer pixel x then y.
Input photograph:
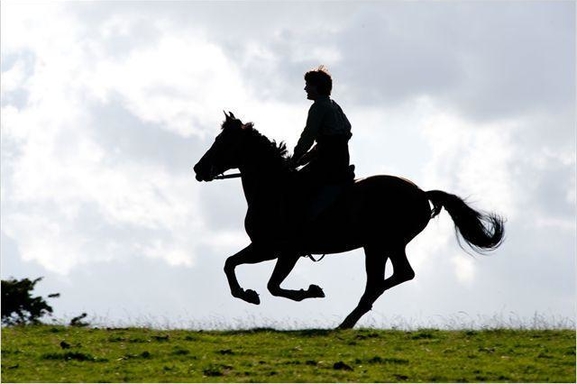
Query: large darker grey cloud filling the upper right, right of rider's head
{"type": "Point", "coordinates": [485, 59]}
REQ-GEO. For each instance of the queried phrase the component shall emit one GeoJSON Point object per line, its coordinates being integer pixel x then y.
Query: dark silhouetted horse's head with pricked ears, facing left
{"type": "Point", "coordinates": [224, 154]}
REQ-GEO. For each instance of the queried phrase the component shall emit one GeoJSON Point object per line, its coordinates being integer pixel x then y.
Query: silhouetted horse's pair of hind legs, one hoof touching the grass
{"type": "Point", "coordinates": [376, 259]}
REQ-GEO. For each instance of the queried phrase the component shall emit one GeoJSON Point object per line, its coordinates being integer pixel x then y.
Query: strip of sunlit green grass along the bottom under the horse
{"type": "Point", "coordinates": [35, 354]}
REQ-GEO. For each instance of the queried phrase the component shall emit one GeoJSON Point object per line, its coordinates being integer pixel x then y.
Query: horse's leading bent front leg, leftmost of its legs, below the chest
{"type": "Point", "coordinates": [249, 255]}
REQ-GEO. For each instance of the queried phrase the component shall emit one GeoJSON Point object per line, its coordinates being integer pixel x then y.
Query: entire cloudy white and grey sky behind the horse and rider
{"type": "Point", "coordinates": [106, 106]}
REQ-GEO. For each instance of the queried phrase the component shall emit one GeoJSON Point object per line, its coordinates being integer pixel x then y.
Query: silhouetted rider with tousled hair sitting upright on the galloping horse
{"type": "Point", "coordinates": [327, 163]}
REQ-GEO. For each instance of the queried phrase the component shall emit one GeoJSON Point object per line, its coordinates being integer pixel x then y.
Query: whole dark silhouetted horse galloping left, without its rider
{"type": "Point", "coordinates": [381, 214]}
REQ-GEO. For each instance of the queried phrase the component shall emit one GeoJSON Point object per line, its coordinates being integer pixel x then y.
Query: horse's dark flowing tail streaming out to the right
{"type": "Point", "coordinates": [481, 231]}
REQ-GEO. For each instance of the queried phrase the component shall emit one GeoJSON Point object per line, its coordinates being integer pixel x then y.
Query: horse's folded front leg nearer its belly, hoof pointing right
{"type": "Point", "coordinates": [284, 265]}
